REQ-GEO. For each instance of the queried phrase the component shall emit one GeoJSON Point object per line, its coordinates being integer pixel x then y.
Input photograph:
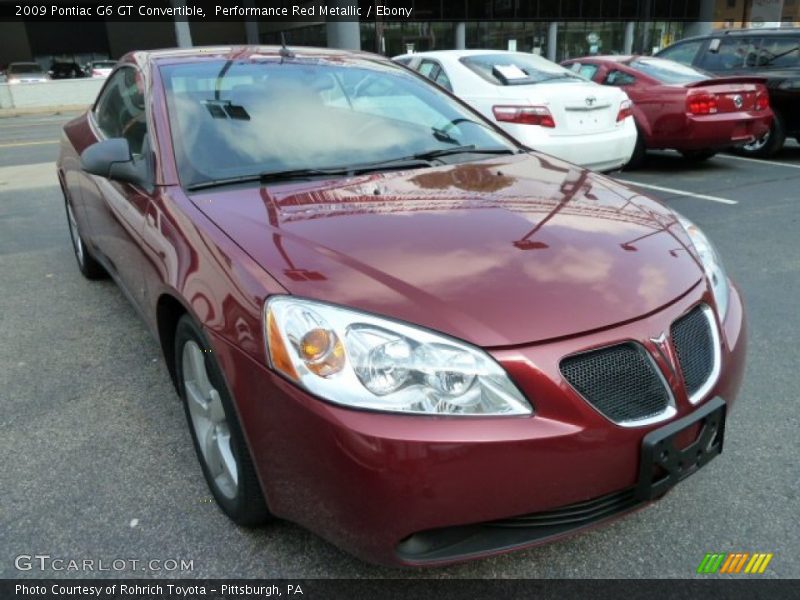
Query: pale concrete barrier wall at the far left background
{"type": "Point", "coordinates": [50, 94]}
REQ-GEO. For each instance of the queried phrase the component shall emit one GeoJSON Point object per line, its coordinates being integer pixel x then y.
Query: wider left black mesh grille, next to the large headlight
{"type": "Point", "coordinates": [620, 381]}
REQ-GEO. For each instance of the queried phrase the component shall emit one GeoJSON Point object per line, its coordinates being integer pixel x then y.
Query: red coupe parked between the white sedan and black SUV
{"type": "Point", "coordinates": [679, 107]}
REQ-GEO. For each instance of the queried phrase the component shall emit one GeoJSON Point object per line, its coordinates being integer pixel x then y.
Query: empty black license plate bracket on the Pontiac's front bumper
{"type": "Point", "coordinates": [663, 464]}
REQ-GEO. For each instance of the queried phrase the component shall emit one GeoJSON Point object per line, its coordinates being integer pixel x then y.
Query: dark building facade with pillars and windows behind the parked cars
{"type": "Point", "coordinates": [557, 29]}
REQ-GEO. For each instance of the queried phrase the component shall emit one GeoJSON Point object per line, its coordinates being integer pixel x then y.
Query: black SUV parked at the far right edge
{"type": "Point", "coordinates": [773, 54]}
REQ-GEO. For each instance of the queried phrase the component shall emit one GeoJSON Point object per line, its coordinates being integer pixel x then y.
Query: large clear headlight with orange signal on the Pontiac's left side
{"type": "Point", "coordinates": [363, 361]}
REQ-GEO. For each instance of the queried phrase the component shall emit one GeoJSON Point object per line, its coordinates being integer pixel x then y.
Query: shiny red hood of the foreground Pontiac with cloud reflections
{"type": "Point", "coordinates": [508, 251]}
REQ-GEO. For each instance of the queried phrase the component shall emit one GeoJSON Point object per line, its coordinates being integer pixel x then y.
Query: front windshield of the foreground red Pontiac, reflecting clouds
{"type": "Point", "coordinates": [242, 118]}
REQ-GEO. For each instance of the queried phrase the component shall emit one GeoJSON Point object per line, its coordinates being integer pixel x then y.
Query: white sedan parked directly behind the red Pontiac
{"type": "Point", "coordinates": [541, 104]}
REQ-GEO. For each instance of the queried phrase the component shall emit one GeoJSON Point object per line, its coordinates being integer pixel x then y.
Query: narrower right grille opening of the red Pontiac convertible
{"type": "Point", "coordinates": [694, 345]}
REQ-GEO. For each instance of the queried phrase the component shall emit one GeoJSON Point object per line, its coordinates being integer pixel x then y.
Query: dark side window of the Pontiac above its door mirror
{"type": "Point", "coordinates": [120, 109]}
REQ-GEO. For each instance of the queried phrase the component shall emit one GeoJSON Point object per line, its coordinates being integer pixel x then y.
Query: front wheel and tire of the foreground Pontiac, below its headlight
{"type": "Point", "coordinates": [216, 433]}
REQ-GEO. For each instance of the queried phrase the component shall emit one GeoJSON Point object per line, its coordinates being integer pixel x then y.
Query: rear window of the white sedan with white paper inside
{"type": "Point", "coordinates": [517, 69]}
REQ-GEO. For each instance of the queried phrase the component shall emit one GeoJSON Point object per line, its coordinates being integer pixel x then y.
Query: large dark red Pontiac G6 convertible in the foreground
{"type": "Point", "coordinates": [388, 321]}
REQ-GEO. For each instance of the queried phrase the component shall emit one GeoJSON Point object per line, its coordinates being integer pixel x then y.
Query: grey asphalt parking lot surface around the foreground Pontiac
{"type": "Point", "coordinates": [98, 462]}
